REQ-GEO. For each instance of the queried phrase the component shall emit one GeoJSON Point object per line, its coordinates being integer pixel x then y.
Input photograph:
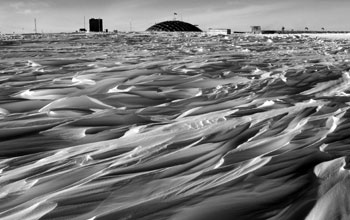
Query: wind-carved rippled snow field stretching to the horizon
{"type": "Point", "coordinates": [175, 126]}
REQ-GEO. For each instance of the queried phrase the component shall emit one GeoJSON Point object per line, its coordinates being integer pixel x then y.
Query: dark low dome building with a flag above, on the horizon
{"type": "Point", "coordinates": [174, 26]}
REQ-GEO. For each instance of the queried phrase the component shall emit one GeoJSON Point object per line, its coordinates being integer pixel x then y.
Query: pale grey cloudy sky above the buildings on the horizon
{"type": "Point", "coordinates": [68, 15]}
